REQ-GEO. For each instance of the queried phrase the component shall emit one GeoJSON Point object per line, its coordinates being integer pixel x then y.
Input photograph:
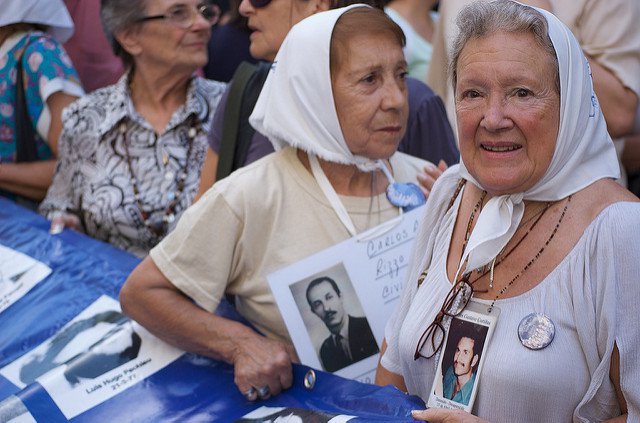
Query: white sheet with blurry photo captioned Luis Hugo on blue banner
{"type": "Point", "coordinates": [94, 357]}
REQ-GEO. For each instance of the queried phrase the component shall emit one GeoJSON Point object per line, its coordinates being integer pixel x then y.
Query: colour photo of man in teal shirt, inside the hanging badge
{"type": "Point", "coordinates": [461, 359]}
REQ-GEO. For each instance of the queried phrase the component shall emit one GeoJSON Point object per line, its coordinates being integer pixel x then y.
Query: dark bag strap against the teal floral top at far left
{"type": "Point", "coordinates": [26, 150]}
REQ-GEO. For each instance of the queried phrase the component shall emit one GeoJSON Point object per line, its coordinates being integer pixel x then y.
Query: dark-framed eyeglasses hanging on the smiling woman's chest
{"type": "Point", "coordinates": [455, 302]}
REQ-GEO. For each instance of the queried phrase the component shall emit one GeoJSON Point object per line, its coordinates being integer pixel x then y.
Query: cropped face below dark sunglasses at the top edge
{"type": "Point", "coordinates": [270, 24]}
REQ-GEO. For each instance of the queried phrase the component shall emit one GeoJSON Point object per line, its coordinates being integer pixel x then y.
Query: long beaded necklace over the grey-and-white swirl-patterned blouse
{"type": "Point", "coordinates": [159, 229]}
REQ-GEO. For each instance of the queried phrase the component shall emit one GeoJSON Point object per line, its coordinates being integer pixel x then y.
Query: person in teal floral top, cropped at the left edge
{"type": "Point", "coordinates": [31, 33]}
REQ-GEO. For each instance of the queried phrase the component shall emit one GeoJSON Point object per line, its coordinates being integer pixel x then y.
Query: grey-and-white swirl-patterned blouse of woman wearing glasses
{"type": "Point", "coordinates": [107, 150]}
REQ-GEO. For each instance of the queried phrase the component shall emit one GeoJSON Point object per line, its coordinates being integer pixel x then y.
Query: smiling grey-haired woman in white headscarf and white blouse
{"type": "Point", "coordinates": [531, 226]}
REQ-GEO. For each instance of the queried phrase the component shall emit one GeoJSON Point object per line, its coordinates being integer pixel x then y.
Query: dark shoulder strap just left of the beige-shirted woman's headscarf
{"type": "Point", "coordinates": [232, 118]}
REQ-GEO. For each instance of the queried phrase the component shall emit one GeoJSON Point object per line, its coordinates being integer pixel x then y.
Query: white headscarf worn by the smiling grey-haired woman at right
{"type": "Point", "coordinates": [584, 152]}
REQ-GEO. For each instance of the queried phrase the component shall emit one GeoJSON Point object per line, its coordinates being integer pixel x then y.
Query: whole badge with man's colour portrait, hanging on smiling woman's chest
{"type": "Point", "coordinates": [461, 361]}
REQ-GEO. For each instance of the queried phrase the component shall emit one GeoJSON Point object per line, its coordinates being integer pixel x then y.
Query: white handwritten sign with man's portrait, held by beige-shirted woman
{"type": "Point", "coordinates": [336, 303]}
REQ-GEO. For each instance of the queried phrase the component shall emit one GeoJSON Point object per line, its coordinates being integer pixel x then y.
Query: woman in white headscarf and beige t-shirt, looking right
{"type": "Point", "coordinates": [335, 107]}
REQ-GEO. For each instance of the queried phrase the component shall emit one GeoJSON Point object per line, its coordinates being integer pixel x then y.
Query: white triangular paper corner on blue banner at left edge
{"type": "Point", "coordinates": [19, 273]}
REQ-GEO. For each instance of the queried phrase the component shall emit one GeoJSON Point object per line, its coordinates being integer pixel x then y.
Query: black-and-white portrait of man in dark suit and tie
{"type": "Point", "coordinates": [334, 318]}
